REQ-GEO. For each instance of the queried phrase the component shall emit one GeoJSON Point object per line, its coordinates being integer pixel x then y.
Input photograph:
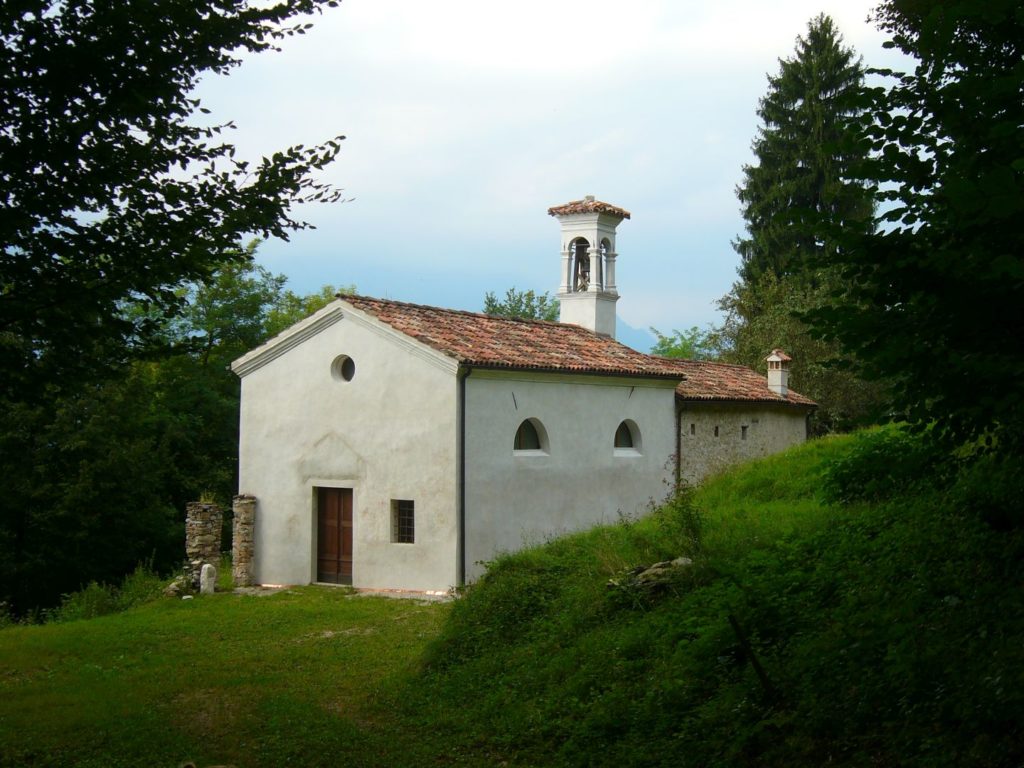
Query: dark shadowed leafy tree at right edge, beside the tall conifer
{"type": "Point", "coordinates": [934, 296]}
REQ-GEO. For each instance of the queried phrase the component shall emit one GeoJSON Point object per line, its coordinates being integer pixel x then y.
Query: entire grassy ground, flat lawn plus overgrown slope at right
{"type": "Point", "coordinates": [856, 603]}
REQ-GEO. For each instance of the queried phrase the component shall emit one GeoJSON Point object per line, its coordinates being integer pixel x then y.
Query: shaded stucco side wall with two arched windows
{"type": "Point", "coordinates": [581, 481]}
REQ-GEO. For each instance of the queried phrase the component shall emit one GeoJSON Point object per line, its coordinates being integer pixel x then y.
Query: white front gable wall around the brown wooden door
{"type": "Point", "coordinates": [389, 434]}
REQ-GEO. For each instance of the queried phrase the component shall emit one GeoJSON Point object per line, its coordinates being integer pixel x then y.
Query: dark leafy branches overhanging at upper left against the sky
{"type": "Point", "coordinates": [113, 190]}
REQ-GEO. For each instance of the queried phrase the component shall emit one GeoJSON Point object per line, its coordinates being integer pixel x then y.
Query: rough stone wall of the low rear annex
{"type": "Point", "coordinates": [769, 431]}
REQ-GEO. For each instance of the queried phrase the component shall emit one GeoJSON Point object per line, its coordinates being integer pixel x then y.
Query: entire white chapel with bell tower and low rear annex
{"type": "Point", "coordinates": [395, 446]}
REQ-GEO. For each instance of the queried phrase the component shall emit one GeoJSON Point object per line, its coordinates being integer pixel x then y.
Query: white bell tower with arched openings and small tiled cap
{"type": "Point", "coordinates": [587, 293]}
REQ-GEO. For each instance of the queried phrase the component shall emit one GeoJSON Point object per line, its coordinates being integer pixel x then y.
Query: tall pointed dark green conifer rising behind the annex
{"type": "Point", "coordinates": [801, 186]}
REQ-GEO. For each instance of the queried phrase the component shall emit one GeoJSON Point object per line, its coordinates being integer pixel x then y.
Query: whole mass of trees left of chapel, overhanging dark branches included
{"type": "Point", "coordinates": [123, 287]}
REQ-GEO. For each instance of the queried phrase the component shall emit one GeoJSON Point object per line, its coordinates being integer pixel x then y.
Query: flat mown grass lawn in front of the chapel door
{"type": "Point", "coordinates": [301, 677]}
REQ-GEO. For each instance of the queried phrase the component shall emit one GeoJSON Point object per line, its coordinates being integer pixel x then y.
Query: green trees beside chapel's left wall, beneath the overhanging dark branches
{"type": "Point", "coordinates": [100, 479]}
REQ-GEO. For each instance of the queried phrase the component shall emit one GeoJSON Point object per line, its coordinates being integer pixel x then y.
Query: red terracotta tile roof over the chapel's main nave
{"type": "Point", "coordinates": [487, 342]}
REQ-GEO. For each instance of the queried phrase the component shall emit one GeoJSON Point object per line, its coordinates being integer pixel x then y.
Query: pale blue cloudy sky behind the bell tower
{"type": "Point", "coordinates": [465, 120]}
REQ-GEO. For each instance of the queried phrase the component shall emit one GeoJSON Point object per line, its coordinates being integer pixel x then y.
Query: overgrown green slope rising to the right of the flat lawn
{"type": "Point", "coordinates": [878, 633]}
